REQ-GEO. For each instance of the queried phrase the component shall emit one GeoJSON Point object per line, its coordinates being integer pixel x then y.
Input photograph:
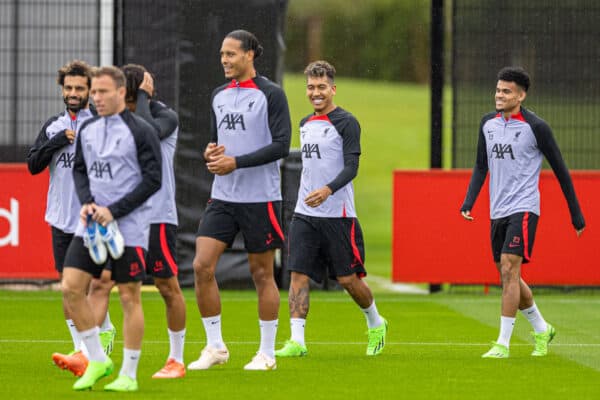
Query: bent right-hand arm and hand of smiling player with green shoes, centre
{"type": "Point", "coordinates": [351, 147]}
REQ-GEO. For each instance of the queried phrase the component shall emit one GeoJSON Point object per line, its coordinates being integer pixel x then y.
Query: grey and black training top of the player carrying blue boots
{"type": "Point", "coordinates": [118, 165]}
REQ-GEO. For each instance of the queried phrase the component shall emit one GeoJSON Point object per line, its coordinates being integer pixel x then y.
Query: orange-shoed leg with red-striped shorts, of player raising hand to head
{"type": "Point", "coordinates": [162, 265]}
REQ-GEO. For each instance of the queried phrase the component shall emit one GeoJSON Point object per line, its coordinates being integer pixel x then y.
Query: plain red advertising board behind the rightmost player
{"type": "Point", "coordinates": [432, 243]}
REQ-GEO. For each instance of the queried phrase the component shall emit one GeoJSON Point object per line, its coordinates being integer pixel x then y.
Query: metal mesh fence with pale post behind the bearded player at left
{"type": "Point", "coordinates": [37, 37]}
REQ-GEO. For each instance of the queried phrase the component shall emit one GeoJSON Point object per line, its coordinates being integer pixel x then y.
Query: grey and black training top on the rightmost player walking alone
{"type": "Point", "coordinates": [513, 151]}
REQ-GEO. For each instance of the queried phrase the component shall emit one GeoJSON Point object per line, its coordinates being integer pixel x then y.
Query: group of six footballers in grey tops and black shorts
{"type": "Point", "coordinates": [111, 207]}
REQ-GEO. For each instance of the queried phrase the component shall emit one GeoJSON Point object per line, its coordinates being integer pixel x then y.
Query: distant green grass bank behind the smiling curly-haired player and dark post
{"type": "Point", "coordinates": [395, 123]}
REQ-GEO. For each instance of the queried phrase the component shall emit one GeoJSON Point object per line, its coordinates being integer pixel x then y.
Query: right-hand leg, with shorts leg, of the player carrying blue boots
{"type": "Point", "coordinates": [128, 273]}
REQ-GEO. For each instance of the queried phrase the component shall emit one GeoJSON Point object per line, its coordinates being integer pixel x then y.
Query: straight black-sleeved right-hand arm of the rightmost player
{"type": "Point", "coordinates": [550, 150]}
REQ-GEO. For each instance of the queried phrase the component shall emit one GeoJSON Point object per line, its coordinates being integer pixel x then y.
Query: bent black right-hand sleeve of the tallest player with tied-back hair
{"type": "Point", "coordinates": [281, 132]}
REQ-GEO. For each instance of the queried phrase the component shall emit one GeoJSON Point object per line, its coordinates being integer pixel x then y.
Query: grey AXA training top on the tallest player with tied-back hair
{"type": "Point", "coordinates": [252, 120]}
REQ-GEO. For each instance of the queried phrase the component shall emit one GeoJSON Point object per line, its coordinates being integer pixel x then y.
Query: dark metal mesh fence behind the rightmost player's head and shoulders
{"type": "Point", "coordinates": [557, 41]}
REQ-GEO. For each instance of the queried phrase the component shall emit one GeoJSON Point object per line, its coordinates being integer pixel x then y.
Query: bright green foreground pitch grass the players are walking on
{"type": "Point", "coordinates": [433, 350]}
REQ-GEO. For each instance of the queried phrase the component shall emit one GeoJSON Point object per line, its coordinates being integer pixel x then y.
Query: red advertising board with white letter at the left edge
{"type": "Point", "coordinates": [25, 239]}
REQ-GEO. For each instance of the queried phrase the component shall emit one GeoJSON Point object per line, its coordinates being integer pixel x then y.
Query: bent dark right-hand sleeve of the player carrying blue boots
{"type": "Point", "coordinates": [149, 159]}
